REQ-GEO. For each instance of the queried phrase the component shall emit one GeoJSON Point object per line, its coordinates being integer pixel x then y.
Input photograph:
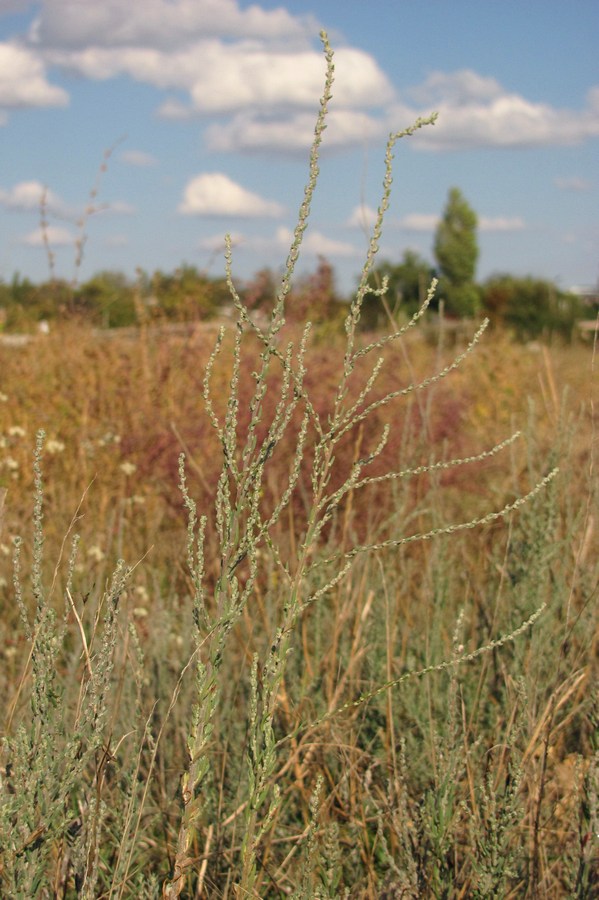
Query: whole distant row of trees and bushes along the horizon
{"type": "Point", "coordinates": [529, 307]}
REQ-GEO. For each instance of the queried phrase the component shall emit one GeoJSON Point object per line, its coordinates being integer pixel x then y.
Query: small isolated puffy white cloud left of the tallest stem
{"type": "Point", "coordinates": [215, 194]}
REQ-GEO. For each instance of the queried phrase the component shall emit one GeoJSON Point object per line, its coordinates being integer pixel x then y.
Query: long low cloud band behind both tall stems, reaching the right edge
{"type": "Point", "coordinates": [474, 112]}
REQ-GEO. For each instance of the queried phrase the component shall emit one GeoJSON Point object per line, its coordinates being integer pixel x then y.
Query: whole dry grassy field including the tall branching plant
{"type": "Point", "coordinates": [298, 612]}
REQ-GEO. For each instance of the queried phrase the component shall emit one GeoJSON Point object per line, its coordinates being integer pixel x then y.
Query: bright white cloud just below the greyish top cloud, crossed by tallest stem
{"type": "Point", "coordinates": [221, 77]}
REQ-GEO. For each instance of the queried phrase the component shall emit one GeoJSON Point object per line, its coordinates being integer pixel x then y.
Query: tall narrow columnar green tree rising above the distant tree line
{"type": "Point", "coordinates": [456, 252]}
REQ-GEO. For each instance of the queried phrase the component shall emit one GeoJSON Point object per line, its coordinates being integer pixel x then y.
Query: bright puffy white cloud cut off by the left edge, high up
{"type": "Point", "coordinates": [23, 80]}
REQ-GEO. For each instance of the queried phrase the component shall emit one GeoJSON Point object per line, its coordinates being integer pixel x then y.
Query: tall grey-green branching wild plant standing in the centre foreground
{"type": "Point", "coordinates": [246, 526]}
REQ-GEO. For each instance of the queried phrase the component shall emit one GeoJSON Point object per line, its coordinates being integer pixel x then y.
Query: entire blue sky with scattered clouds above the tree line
{"type": "Point", "coordinates": [209, 105]}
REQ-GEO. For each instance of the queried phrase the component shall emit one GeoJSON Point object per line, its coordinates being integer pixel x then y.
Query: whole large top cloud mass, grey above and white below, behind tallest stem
{"type": "Point", "coordinates": [214, 58]}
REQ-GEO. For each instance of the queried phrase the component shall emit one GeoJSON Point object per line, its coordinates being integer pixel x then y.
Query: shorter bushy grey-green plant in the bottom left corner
{"type": "Point", "coordinates": [51, 817]}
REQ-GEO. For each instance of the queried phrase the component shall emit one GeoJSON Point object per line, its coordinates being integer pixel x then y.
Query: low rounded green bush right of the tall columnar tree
{"type": "Point", "coordinates": [530, 307]}
